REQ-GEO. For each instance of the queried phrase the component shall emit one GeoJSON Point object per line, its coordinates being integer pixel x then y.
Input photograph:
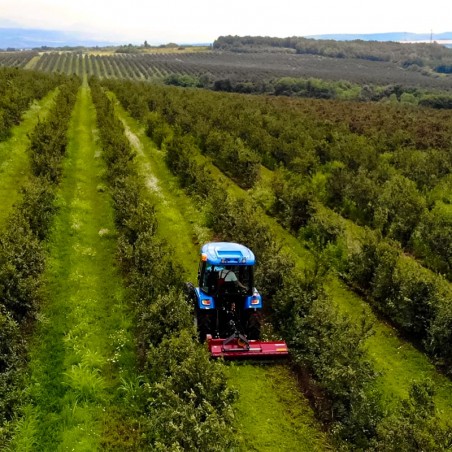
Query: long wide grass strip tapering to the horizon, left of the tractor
{"type": "Point", "coordinates": [83, 347]}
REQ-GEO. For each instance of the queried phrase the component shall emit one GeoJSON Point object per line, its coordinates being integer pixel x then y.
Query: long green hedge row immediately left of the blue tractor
{"type": "Point", "coordinates": [184, 396]}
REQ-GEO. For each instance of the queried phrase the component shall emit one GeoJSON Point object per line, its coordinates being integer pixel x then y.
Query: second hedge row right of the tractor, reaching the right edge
{"type": "Point", "coordinates": [414, 299]}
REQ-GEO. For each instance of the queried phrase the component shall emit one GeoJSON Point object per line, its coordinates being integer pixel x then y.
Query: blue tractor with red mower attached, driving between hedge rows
{"type": "Point", "coordinates": [227, 306]}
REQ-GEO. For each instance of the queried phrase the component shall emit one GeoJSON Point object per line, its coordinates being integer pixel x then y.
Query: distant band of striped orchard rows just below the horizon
{"type": "Point", "coordinates": [217, 65]}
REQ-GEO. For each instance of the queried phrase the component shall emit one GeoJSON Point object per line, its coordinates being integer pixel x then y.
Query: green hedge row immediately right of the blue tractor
{"type": "Point", "coordinates": [326, 346]}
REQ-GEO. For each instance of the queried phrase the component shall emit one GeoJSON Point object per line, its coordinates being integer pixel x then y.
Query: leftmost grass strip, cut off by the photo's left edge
{"type": "Point", "coordinates": [14, 159]}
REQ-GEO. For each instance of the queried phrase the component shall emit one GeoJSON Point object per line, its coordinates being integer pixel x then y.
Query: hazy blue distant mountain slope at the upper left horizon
{"type": "Point", "coordinates": [21, 38]}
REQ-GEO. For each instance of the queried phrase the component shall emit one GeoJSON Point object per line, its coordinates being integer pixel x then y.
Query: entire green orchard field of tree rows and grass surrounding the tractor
{"type": "Point", "coordinates": [114, 184]}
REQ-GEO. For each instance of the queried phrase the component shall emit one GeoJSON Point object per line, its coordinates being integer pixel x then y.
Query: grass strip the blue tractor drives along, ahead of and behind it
{"type": "Point", "coordinates": [272, 414]}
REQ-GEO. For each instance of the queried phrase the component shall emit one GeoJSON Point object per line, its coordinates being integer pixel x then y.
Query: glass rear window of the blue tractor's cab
{"type": "Point", "coordinates": [215, 276]}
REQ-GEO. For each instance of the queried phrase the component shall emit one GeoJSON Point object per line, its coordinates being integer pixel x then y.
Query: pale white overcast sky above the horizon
{"type": "Point", "coordinates": [202, 21]}
